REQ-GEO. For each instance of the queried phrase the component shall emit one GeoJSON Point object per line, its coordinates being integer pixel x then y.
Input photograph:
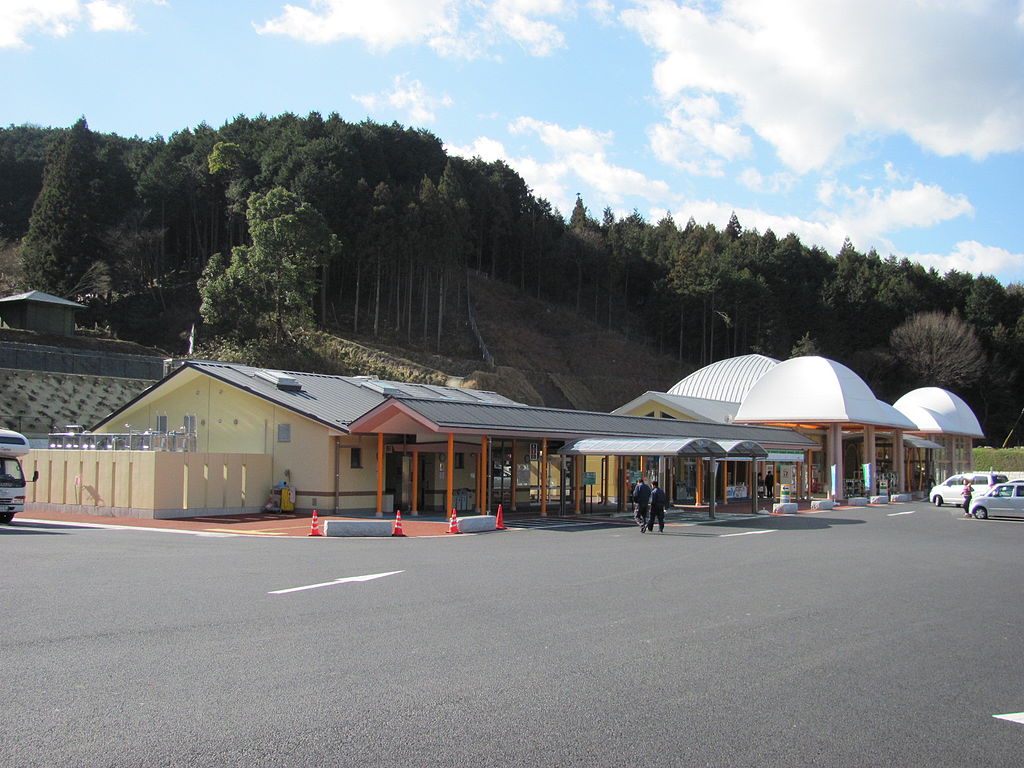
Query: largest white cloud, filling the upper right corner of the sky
{"type": "Point", "coordinates": [808, 76]}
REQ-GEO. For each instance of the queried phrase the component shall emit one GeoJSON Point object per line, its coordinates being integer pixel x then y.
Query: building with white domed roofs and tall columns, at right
{"type": "Point", "coordinates": [862, 446]}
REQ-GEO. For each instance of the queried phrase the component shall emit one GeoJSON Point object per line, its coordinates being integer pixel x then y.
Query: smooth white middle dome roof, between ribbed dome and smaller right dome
{"type": "Point", "coordinates": [817, 390]}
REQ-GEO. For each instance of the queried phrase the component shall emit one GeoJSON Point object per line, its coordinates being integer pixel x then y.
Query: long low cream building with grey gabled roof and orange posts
{"type": "Point", "coordinates": [216, 439]}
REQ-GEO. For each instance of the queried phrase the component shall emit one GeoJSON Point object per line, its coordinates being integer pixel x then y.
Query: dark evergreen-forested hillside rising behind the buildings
{"type": "Point", "coordinates": [369, 232]}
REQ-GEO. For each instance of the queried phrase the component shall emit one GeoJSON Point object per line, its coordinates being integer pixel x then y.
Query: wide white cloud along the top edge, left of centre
{"type": "Point", "coordinates": [453, 28]}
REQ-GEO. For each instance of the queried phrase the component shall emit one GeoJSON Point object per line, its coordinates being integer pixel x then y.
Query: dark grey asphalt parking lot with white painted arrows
{"type": "Point", "coordinates": [861, 636]}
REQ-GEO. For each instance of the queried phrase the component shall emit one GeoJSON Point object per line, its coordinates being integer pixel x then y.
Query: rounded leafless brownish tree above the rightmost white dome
{"type": "Point", "coordinates": [938, 350]}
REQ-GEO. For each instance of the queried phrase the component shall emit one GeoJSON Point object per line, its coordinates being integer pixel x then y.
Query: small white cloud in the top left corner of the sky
{"type": "Point", "coordinates": [22, 19]}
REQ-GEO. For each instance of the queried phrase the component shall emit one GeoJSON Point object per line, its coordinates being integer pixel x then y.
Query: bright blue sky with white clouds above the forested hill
{"type": "Point", "coordinates": [898, 124]}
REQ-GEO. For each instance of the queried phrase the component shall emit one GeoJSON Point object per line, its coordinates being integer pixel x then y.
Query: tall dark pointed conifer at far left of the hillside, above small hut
{"type": "Point", "coordinates": [63, 242]}
